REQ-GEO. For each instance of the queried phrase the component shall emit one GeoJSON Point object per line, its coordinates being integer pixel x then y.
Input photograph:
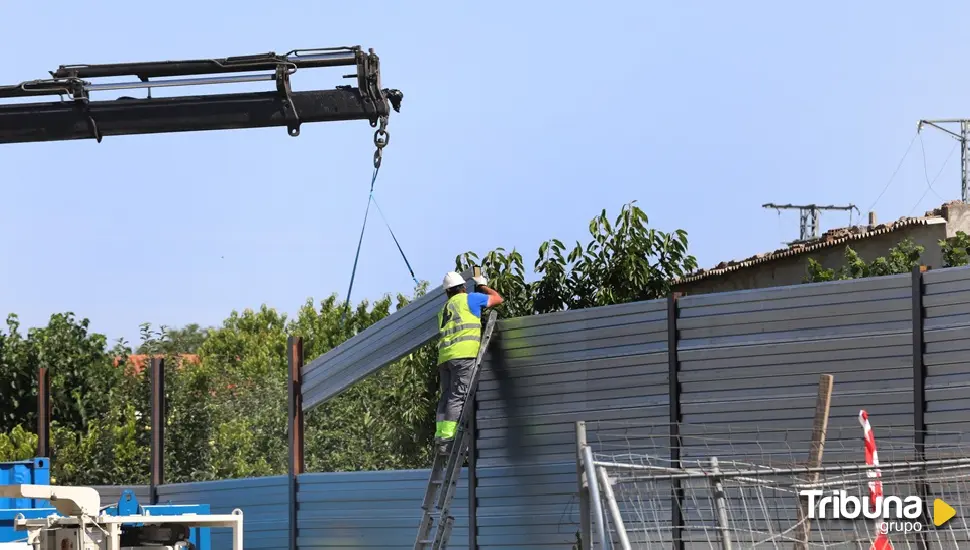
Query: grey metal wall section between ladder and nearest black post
{"type": "Point", "coordinates": [607, 366]}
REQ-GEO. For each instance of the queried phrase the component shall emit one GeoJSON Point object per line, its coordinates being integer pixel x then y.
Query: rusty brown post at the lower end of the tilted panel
{"type": "Point", "coordinates": [295, 425]}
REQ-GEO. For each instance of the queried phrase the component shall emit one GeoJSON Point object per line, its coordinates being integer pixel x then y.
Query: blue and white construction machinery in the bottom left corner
{"type": "Point", "coordinates": [38, 516]}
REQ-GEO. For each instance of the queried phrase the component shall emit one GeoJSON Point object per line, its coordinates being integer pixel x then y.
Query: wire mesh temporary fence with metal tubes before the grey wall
{"type": "Point", "coordinates": [741, 489]}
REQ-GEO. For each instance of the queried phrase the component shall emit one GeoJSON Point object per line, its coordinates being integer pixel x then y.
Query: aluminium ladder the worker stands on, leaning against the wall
{"type": "Point", "coordinates": [447, 467]}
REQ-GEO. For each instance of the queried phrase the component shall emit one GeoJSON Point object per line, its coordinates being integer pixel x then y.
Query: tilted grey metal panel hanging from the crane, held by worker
{"type": "Point", "coordinates": [382, 343]}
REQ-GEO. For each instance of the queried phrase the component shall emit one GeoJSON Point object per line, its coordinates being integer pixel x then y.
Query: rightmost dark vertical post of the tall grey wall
{"type": "Point", "coordinates": [919, 392]}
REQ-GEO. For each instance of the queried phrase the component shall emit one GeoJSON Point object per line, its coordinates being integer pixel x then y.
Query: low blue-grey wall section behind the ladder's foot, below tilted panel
{"type": "Point", "coordinates": [370, 510]}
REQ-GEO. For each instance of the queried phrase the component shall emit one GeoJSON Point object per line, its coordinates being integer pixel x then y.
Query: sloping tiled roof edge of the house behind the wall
{"type": "Point", "coordinates": [830, 238]}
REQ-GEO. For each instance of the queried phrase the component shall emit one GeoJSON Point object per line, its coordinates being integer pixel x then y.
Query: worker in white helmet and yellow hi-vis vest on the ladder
{"type": "Point", "coordinates": [460, 334]}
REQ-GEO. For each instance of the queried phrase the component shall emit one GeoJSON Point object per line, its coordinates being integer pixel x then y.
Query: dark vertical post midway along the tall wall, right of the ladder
{"type": "Point", "coordinates": [676, 443]}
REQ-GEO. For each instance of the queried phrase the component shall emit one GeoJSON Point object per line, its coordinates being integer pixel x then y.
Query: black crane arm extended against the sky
{"type": "Point", "coordinates": [80, 117]}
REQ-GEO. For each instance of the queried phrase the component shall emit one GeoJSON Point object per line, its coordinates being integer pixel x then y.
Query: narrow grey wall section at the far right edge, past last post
{"type": "Point", "coordinates": [946, 357]}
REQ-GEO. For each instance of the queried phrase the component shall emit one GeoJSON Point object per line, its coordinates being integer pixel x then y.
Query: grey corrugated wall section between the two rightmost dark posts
{"type": "Point", "coordinates": [750, 363]}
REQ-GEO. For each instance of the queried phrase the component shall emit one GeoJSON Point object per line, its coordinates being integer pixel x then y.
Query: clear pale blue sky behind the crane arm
{"type": "Point", "coordinates": [520, 119]}
